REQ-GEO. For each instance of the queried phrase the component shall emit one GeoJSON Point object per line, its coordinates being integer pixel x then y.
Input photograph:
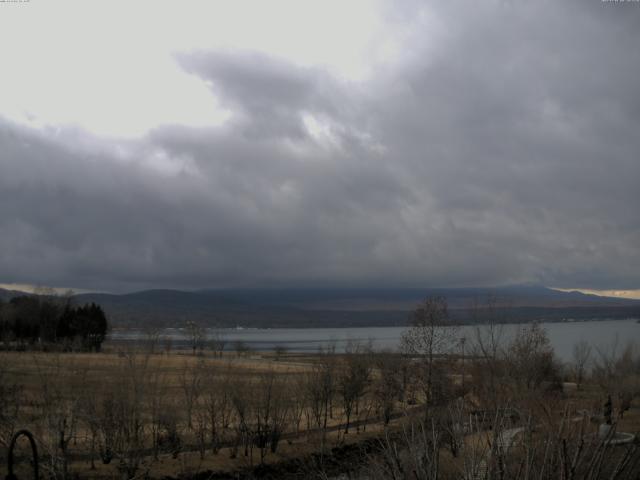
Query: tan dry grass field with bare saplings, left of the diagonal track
{"type": "Point", "coordinates": [71, 398]}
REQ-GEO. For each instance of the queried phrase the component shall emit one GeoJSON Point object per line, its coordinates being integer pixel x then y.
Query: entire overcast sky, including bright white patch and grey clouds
{"type": "Point", "coordinates": [349, 143]}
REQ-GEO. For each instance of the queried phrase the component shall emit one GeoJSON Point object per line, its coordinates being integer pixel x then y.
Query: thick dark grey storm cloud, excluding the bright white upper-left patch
{"type": "Point", "coordinates": [498, 145]}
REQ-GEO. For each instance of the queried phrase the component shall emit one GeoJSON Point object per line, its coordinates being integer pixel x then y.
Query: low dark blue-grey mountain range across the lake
{"type": "Point", "coordinates": [333, 307]}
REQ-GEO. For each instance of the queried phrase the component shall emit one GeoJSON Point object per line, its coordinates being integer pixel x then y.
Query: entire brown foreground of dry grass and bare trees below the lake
{"type": "Point", "coordinates": [133, 414]}
